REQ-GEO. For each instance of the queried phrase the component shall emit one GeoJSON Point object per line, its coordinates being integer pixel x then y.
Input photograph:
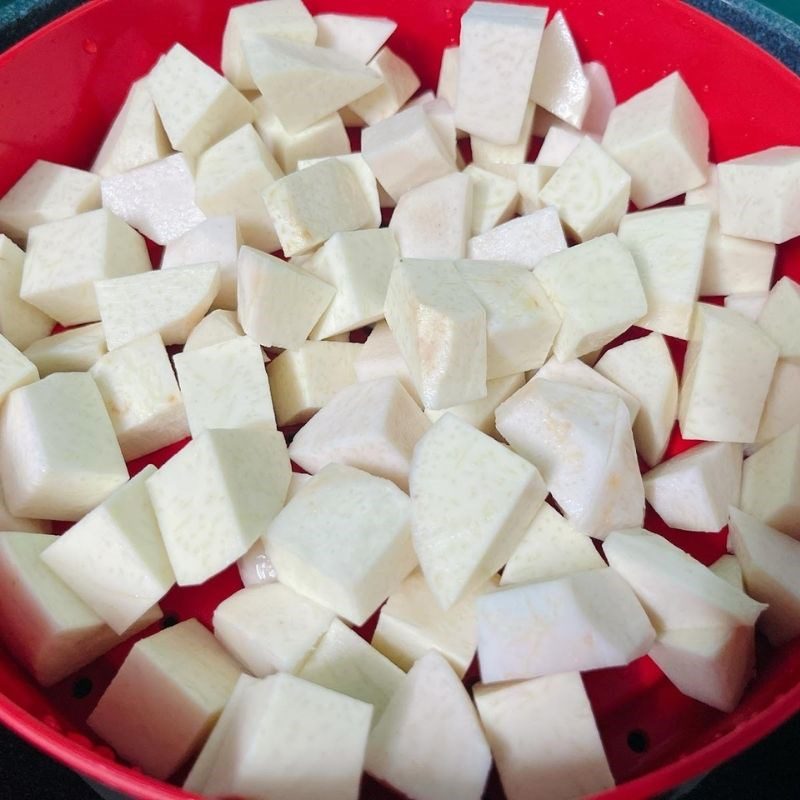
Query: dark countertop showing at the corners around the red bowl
{"type": "Point", "coordinates": [768, 771]}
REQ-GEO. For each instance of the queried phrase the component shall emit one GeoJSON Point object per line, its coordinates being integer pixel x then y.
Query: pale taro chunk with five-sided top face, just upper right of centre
{"type": "Point", "coordinates": [597, 290]}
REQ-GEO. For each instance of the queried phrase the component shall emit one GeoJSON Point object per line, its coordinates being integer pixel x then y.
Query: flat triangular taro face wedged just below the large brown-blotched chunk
{"type": "Point", "coordinates": [550, 548]}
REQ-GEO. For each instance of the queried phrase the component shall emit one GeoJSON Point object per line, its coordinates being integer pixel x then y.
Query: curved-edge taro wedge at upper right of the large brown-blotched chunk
{"type": "Point", "coordinates": [644, 368]}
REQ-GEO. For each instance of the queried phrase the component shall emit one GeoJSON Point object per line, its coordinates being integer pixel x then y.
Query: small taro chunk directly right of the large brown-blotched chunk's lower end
{"type": "Point", "coordinates": [692, 491]}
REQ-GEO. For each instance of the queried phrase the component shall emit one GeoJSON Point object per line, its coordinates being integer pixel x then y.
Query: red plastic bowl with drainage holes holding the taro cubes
{"type": "Point", "coordinates": [59, 90]}
